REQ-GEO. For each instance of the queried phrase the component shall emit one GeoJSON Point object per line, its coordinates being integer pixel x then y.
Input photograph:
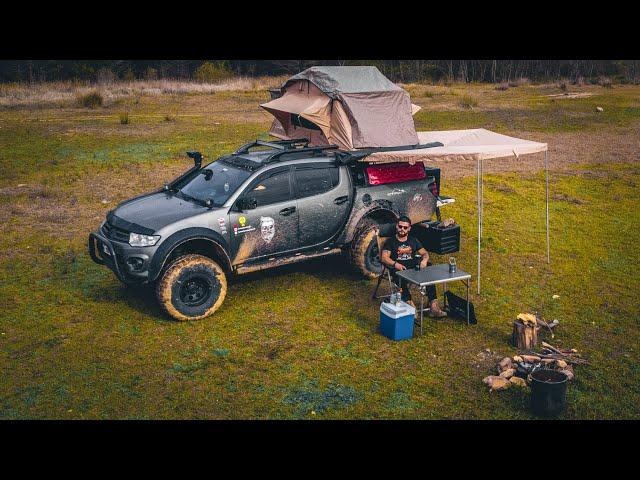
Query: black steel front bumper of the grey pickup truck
{"type": "Point", "coordinates": [116, 255]}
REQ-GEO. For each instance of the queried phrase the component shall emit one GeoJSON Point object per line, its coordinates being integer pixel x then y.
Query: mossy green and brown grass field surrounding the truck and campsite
{"type": "Point", "coordinates": [301, 341]}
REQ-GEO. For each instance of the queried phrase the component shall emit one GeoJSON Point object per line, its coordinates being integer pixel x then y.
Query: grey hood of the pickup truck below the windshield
{"type": "Point", "coordinates": [154, 211]}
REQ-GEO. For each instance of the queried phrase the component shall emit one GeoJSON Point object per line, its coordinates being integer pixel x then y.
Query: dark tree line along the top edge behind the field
{"type": "Point", "coordinates": [621, 71]}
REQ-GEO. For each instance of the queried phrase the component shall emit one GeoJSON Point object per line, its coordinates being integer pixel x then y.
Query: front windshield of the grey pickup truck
{"type": "Point", "coordinates": [216, 182]}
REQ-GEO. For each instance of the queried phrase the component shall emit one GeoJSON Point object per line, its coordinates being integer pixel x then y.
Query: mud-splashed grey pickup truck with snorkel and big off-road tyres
{"type": "Point", "coordinates": [265, 205]}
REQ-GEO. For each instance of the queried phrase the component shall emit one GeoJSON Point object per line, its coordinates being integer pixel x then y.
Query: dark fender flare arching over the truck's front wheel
{"type": "Point", "coordinates": [183, 236]}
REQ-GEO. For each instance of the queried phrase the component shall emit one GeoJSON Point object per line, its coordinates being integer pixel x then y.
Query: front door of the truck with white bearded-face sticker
{"type": "Point", "coordinates": [270, 228]}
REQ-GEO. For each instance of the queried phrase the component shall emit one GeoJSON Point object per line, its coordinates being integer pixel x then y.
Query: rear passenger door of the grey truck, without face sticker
{"type": "Point", "coordinates": [324, 198]}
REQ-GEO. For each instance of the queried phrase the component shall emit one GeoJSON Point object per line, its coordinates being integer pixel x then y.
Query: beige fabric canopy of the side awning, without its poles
{"type": "Point", "coordinates": [474, 144]}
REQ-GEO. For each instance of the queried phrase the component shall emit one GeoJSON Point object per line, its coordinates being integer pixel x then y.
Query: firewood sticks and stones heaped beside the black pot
{"type": "Point", "coordinates": [515, 370]}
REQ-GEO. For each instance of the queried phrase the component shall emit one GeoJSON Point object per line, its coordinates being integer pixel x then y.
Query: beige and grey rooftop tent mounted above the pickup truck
{"type": "Point", "coordinates": [352, 107]}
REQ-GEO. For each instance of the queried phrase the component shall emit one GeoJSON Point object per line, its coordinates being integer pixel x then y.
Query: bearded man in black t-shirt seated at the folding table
{"type": "Point", "coordinates": [398, 254]}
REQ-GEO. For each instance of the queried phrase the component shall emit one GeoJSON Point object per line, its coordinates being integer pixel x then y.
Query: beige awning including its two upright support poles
{"type": "Point", "coordinates": [475, 145]}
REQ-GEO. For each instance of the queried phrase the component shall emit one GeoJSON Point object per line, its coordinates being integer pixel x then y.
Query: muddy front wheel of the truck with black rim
{"type": "Point", "coordinates": [192, 287]}
